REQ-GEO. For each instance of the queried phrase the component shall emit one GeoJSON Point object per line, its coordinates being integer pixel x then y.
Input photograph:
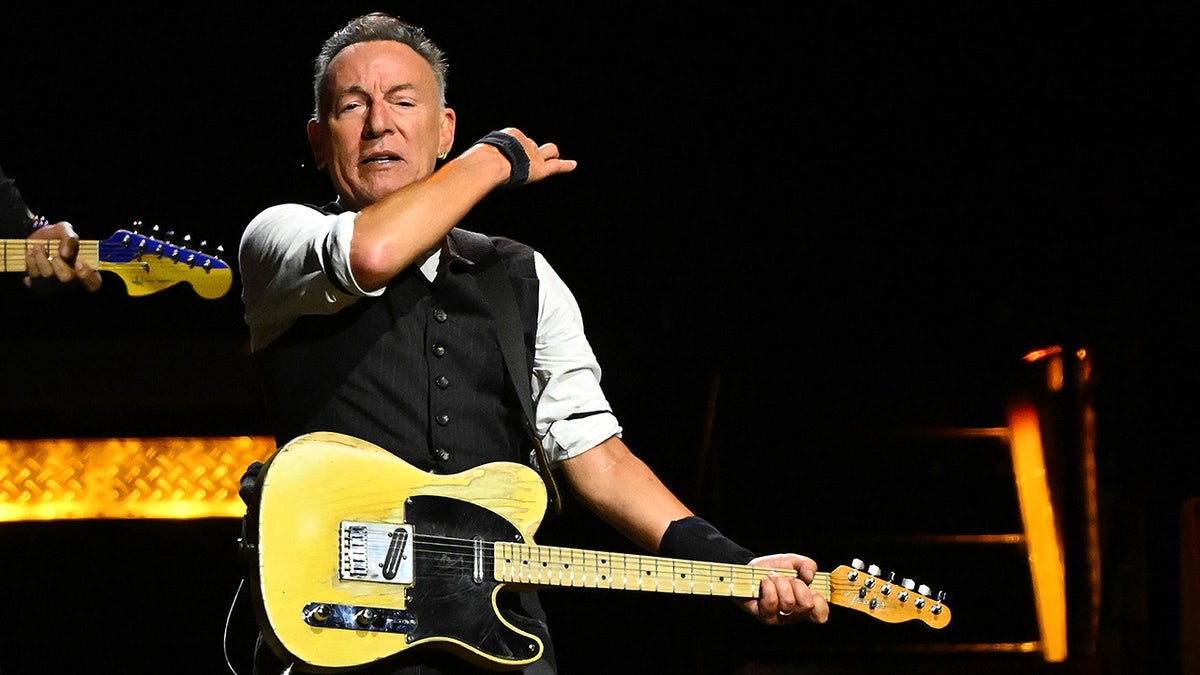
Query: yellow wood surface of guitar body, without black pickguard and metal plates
{"type": "Point", "coordinates": [308, 495]}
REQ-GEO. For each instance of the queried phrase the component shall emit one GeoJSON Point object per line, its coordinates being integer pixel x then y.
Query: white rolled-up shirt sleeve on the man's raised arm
{"type": "Point", "coordinates": [296, 261]}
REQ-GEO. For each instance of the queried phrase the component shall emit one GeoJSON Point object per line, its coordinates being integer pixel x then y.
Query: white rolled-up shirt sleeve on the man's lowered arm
{"type": "Point", "coordinates": [573, 413]}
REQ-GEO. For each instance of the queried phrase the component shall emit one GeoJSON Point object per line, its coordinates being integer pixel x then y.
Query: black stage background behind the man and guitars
{"type": "Point", "coordinates": [855, 214]}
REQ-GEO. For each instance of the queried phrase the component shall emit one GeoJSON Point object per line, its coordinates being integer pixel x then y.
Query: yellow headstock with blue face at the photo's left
{"type": "Point", "coordinates": [149, 265]}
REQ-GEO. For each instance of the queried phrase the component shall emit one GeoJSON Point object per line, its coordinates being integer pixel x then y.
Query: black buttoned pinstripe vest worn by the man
{"type": "Point", "coordinates": [417, 371]}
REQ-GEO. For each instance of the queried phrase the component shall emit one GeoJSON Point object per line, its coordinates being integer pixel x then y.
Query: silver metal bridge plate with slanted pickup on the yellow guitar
{"type": "Point", "coordinates": [376, 552]}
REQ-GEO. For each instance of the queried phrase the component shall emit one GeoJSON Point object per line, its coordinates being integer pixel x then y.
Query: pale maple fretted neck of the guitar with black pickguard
{"type": "Point", "coordinates": [553, 566]}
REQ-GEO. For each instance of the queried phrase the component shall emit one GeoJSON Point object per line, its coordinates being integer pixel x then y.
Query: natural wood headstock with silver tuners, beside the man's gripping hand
{"type": "Point", "coordinates": [867, 592]}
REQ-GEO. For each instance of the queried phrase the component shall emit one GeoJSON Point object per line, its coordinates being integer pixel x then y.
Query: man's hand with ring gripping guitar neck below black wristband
{"type": "Point", "coordinates": [788, 599]}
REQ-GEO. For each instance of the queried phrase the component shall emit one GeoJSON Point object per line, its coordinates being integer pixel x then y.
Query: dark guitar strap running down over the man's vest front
{"type": "Point", "coordinates": [499, 290]}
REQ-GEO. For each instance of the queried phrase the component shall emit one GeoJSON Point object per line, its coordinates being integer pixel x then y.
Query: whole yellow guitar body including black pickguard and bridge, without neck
{"type": "Point", "coordinates": [329, 614]}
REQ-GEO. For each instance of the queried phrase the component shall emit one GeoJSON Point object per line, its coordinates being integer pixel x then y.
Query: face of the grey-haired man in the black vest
{"type": "Point", "coordinates": [385, 123]}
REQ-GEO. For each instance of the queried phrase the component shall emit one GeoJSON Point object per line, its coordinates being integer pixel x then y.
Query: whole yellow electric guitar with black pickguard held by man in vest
{"type": "Point", "coordinates": [359, 555]}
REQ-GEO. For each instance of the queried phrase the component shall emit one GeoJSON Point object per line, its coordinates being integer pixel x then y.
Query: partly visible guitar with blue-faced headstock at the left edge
{"type": "Point", "coordinates": [147, 265]}
